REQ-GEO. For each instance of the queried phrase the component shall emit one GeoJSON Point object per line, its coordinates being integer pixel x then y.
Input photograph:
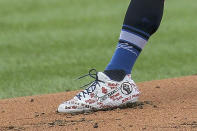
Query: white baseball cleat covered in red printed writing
{"type": "Point", "coordinates": [101, 94]}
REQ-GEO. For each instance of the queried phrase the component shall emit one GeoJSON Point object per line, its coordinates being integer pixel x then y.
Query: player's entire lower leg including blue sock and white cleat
{"type": "Point", "coordinates": [142, 20]}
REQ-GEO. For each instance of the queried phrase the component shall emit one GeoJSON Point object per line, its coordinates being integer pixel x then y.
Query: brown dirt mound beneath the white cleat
{"type": "Point", "coordinates": [164, 105]}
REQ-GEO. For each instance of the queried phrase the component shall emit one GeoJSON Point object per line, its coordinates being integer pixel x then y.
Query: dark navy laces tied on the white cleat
{"type": "Point", "coordinates": [92, 85]}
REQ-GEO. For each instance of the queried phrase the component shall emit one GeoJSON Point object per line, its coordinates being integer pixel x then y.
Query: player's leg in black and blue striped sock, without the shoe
{"type": "Point", "coordinates": [142, 19]}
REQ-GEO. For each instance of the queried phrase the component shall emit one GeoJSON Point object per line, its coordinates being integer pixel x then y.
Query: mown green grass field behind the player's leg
{"type": "Point", "coordinates": [46, 44]}
